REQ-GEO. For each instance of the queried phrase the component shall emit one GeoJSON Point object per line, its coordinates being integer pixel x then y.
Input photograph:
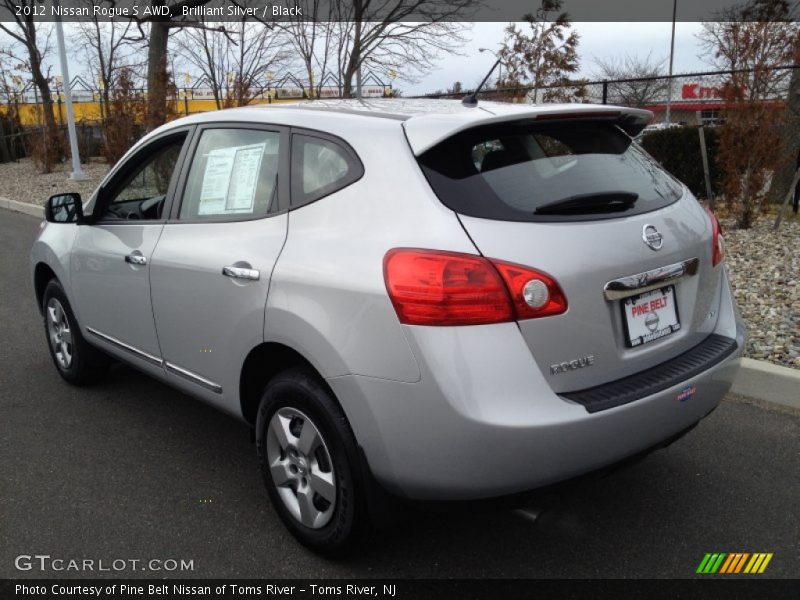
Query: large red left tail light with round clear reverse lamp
{"type": "Point", "coordinates": [431, 287]}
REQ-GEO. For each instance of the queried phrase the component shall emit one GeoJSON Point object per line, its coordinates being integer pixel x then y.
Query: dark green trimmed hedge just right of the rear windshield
{"type": "Point", "coordinates": [678, 151]}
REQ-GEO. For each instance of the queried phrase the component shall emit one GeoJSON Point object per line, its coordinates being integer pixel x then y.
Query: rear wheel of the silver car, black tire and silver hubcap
{"type": "Point", "coordinates": [309, 460]}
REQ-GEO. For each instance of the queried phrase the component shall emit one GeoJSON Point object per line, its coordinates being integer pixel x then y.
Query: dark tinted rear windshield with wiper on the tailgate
{"type": "Point", "coordinates": [531, 172]}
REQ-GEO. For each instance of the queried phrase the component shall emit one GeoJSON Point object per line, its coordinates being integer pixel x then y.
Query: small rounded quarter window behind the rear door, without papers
{"type": "Point", "coordinates": [321, 166]}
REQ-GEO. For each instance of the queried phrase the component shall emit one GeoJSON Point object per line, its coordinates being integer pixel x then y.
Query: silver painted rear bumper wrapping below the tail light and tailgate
{"type": "Point", "coordinates": [483, 421]}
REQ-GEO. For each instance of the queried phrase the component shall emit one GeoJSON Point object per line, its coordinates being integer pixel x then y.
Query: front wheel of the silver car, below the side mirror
{"type": "Point", "coordinates": [75, 360]}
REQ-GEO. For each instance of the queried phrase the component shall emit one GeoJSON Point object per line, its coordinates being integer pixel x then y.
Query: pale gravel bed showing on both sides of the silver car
{"type": "Point", "coordinates": [764, 267]}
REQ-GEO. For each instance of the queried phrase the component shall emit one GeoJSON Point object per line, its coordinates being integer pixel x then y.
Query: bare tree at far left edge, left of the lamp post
{"type": "Point", "coordinates": [28, 33]}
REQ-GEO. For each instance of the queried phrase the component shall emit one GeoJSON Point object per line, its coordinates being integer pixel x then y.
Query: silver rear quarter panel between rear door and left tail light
{"type": "Point", "coordinates": [327, 298]}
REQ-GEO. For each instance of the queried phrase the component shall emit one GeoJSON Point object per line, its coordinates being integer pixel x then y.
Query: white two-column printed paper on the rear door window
{"type": "Point", "coordinates": [230, 180]}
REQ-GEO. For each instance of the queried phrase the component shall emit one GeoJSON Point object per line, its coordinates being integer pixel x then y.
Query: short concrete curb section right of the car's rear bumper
{"type": "Point", "coordinates": [765, 381]}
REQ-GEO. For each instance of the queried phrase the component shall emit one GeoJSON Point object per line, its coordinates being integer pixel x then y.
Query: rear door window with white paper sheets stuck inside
{"type": "Point", "coordinates": [234, 175]}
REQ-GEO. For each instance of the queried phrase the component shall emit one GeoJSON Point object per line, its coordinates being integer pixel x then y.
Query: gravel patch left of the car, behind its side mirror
{"type": "Point", "coordinates": [20, 181]}
